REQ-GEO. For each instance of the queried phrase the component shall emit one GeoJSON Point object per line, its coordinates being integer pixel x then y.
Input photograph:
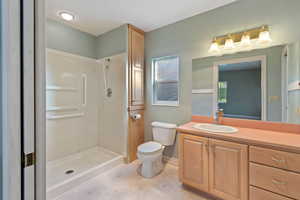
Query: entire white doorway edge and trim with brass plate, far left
{"type": "Point", "coordinates": [22, 99]}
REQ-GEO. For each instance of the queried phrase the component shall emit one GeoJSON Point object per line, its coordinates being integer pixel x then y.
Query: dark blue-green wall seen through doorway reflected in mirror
{"type": "Point", "coordinates": [243, 92]}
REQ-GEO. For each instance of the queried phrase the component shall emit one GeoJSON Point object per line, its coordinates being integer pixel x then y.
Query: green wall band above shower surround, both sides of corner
{"type": "Point", "coordinates": [65, 38]}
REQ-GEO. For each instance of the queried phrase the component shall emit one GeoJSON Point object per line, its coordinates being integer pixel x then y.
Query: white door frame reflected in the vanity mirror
{"type": "Point", "coordinates": [263, 59]}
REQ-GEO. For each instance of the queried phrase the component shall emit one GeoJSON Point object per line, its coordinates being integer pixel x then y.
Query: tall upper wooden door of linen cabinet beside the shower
{"type": "Point", "coordinates": [136, 40]}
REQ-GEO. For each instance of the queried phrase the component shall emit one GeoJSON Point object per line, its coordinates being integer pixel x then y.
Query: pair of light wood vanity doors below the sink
{"type": "Point", "coordinates": [214, 166]}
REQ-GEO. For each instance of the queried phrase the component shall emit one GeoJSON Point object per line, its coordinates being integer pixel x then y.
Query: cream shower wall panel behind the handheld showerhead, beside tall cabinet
{"type": "Point", "coordinates": [113, 113]}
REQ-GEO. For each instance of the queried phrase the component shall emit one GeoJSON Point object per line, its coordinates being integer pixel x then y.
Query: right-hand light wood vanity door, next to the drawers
{"type": "Point", "coordinates": [228, 170]}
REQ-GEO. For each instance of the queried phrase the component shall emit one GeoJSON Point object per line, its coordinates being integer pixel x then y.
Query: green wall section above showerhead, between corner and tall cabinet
{"type": "Point", "coordinates": [112, 43]}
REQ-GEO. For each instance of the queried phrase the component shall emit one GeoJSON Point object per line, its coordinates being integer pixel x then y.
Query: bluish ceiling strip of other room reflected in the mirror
{"type": "Point", "coordinates": [240, 66]}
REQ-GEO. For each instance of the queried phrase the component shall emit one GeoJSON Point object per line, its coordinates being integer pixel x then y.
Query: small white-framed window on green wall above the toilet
{"type": "Point", "coordinates": [165, 76]}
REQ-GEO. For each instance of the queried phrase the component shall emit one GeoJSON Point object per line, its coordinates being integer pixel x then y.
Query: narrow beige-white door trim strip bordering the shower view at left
{"type": "Point", "coordinates": [40, 99]}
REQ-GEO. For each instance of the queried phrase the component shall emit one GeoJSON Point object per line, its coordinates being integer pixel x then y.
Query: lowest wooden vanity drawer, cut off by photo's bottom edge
{"type": "Point", "coordinates": [259, 194]}
